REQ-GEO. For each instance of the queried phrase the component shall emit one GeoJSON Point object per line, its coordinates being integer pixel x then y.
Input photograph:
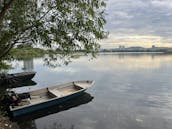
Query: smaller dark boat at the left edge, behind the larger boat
{"type": "Point", "coordinates": [6, 79]}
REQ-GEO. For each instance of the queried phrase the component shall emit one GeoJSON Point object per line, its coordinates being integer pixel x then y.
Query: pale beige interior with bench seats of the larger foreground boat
{"type": "Point", "coordinates": [46, 94]}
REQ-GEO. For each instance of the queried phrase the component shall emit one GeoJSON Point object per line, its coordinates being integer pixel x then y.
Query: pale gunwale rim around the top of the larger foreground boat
{"type": "Point", "coordinates": [55, 98]}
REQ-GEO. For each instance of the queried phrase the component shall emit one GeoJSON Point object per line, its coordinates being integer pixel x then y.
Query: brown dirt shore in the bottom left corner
{"type": "Point", "coordinates": [5, 123]}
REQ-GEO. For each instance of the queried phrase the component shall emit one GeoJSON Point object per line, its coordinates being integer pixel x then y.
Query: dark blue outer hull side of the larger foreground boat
{"type": "Point", "coordinates": [43, 105]}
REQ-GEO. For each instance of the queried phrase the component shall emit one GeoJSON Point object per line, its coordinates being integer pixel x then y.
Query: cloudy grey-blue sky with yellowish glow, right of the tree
{"type": "Point", "coordinates": [138, 23]}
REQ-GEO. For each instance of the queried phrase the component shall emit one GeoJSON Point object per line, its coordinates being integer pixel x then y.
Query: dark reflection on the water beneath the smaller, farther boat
{"type": "Point", "coordinates": [20, 84]}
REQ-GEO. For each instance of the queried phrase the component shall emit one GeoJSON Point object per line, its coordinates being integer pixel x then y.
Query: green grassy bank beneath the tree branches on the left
{"type": "Point", "coordinates": [27, 53]}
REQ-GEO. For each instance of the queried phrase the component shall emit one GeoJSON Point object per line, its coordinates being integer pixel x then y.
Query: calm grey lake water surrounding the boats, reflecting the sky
{"type": "Point", "coordinates": [131, 91]}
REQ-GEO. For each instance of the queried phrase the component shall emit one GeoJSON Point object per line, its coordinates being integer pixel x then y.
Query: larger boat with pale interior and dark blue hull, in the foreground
{"type": "Point", "coordinates": [46, 97]}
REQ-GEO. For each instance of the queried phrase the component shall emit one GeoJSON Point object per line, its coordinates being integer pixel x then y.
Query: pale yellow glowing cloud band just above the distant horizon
{"type": "Point", "coordinates": [114, 40]}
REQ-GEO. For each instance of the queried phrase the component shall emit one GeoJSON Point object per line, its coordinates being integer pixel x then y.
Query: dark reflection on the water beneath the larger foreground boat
{"type": "Point", "coordinates": [80, 100]}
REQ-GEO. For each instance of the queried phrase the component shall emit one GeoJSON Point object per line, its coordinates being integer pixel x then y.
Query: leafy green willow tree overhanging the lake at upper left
{"type": "Point", "coordinates": [64, 25]}
